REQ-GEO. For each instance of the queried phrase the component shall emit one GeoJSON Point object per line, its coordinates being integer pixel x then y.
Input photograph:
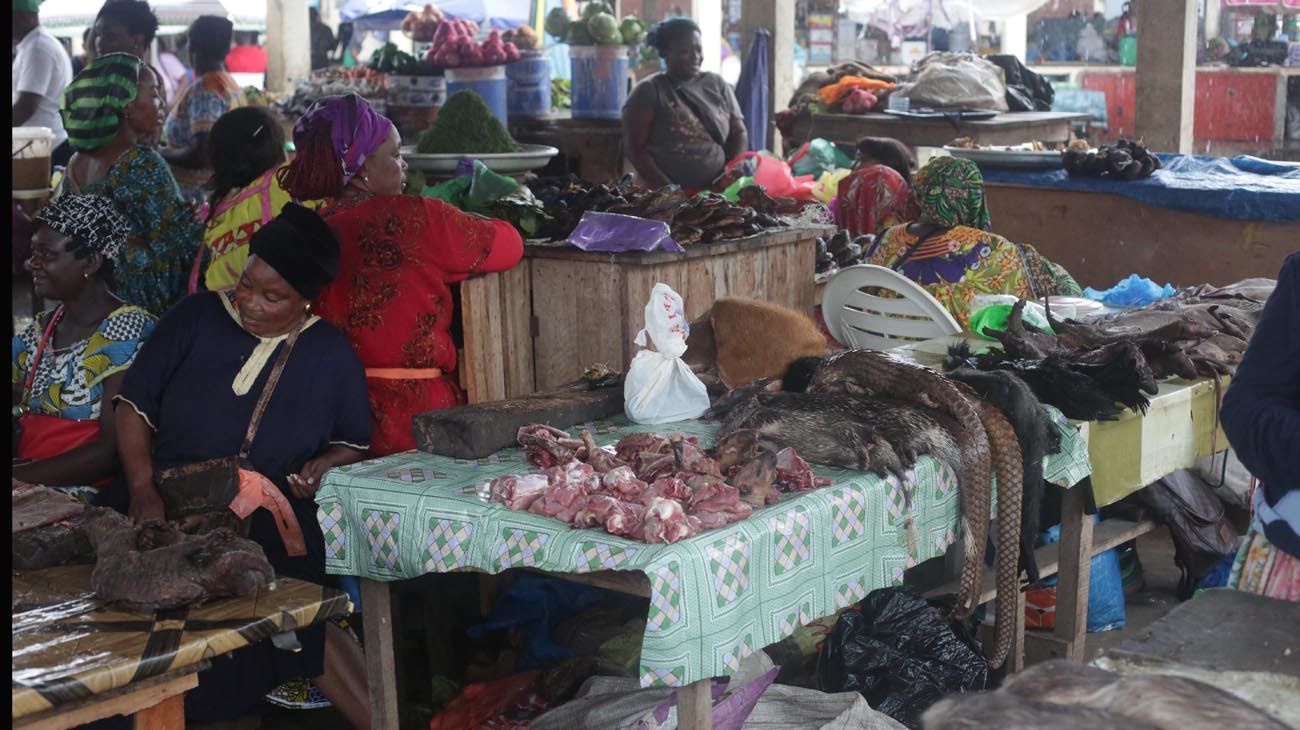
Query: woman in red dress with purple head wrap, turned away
{"type": "Point", "coordinates": [401, 253]}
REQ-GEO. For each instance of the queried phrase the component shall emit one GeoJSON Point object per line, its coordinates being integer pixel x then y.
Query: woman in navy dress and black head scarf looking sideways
{"type": "Point", "coordinates": [190, 397]}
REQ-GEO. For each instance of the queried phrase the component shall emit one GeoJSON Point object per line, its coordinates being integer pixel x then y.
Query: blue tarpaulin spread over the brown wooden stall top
{"type": "Point", "coordinates": [1245, 189]}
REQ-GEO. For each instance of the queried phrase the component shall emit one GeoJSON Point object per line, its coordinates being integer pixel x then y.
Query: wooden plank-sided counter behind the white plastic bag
{"type": "Point", "coordinates": [562, 310]}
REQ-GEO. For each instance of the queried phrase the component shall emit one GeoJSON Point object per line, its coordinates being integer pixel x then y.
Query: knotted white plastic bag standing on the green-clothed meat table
{"type": "Point", "coordinates": [660, 388]}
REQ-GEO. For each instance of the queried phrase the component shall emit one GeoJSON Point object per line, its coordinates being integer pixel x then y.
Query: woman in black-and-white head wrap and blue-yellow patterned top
{"type": "Point", "coordinates": [68, 362]}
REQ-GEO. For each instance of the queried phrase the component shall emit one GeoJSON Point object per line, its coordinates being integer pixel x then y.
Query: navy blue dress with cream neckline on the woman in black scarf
{"type": "Point", "coordinates": [183, 385]}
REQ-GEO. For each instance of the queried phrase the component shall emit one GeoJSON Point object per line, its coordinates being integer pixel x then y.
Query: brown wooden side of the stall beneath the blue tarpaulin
{"type": "Point", "coordinates": [1102, 237]}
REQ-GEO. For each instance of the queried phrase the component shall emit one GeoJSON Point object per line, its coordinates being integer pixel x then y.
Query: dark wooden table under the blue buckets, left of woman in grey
{"type": "Point", "coordinates": [592, 149]}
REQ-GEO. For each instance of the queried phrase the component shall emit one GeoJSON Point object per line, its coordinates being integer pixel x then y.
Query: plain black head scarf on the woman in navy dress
{"type": "Point", "coordinates": [301, 247]}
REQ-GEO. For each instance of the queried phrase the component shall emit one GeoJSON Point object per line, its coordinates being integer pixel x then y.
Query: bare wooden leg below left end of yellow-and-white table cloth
{"type": "Point", "coordinates": [1072, 616]}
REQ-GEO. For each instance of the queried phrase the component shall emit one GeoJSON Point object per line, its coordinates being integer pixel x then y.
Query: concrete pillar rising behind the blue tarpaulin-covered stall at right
{"type": "Point", "coordinates": [1167, 73]}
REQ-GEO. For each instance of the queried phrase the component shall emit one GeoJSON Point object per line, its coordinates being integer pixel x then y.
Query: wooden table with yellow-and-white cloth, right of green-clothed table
{"type": "Point", "coordinates": [1126, 457]}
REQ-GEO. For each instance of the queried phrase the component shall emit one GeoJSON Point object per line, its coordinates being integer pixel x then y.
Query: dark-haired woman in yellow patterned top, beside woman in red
{"type": "Point", "coordinates": [248, 151]}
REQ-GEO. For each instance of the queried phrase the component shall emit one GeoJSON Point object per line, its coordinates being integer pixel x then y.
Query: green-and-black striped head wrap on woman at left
{"type": "Point", "coordinates": [96, 101]}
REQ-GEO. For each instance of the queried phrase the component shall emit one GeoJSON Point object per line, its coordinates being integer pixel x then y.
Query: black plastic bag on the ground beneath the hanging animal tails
{"type": "Point", "coordinates": [902, 655]}
